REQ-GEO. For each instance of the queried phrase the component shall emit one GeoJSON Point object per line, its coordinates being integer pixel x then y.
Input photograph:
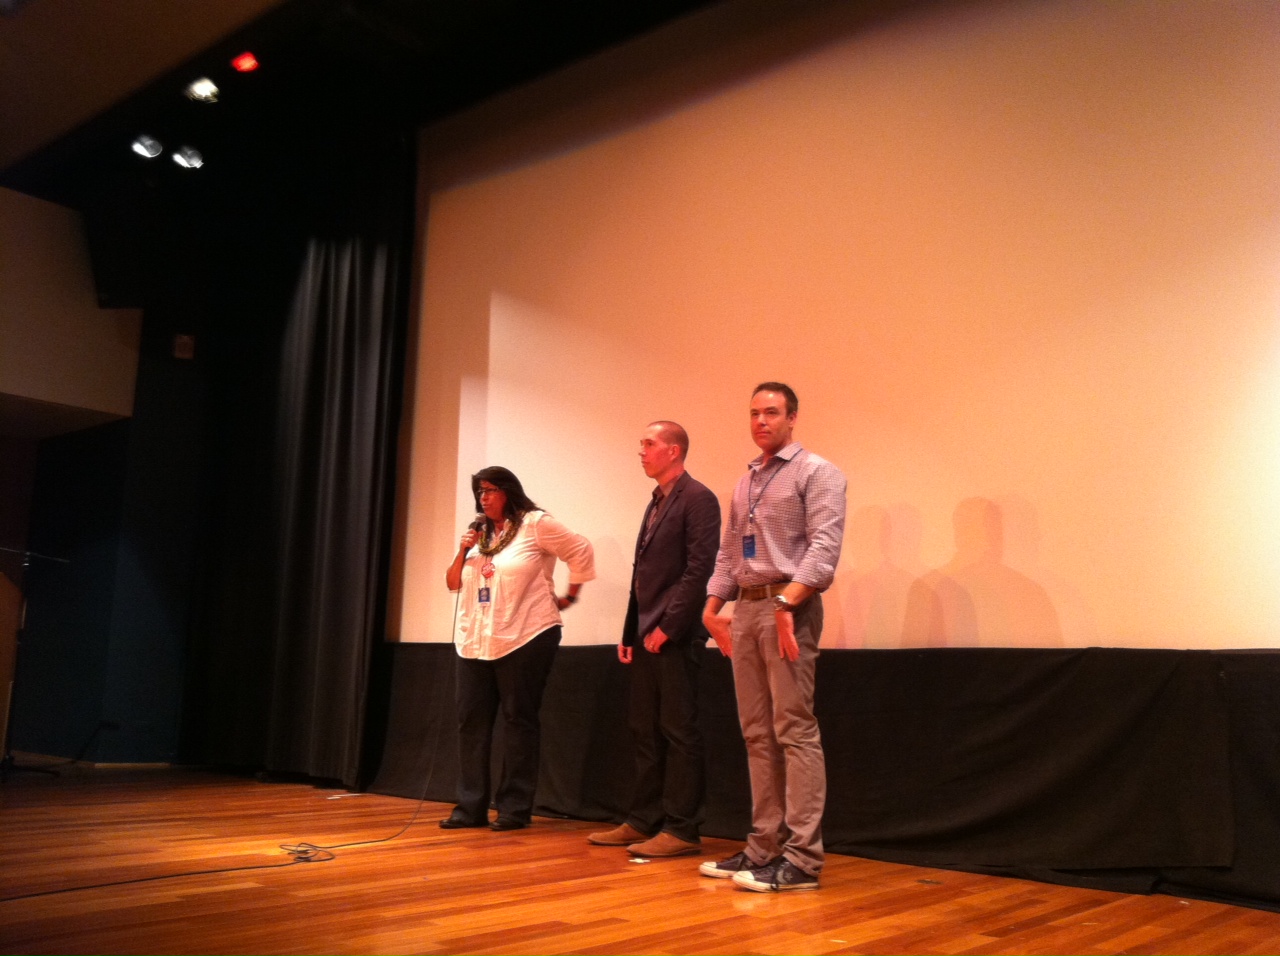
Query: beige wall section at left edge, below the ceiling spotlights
{"type": "Point", "coordinates": [57, 346]}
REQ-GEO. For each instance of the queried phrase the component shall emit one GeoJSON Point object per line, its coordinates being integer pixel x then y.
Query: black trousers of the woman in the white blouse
{"type": "Point", "coordinates": [510, 688]}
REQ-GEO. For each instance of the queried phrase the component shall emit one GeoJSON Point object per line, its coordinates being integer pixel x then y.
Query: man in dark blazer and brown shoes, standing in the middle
{"type": "Point", "coordinates": [664, 642]}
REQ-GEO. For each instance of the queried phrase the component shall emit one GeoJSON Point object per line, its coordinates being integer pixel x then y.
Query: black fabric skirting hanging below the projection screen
{"type": "Point", "coordinates": [1123, 770]}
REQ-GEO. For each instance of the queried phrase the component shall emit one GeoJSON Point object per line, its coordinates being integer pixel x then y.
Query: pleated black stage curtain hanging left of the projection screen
{"type": "Point", "coordinates": [336, 443]}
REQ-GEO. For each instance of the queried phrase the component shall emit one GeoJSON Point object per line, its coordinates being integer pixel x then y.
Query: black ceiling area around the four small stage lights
{"type": "Point", "coordinates": [330, 65]}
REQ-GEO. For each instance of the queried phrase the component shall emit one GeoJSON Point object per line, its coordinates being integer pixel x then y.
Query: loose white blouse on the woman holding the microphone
{"type": "Point", "coordinates": [522, 592]}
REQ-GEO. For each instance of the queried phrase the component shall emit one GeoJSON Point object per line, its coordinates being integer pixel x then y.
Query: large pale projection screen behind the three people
{"type": "Point", "coordinates": [1020, 262]}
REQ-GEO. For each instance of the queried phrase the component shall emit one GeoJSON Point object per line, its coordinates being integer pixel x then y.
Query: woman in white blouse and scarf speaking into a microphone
{"type": "Point", "coordinates": [509, 628]}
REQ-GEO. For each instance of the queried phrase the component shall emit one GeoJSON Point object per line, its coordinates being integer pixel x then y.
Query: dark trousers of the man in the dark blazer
{"type": "Point", "coordinates": [671, 775]}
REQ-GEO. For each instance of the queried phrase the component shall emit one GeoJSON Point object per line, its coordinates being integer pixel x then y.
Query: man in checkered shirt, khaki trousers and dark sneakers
{"type": "Point", "coordinates": [779, 552]}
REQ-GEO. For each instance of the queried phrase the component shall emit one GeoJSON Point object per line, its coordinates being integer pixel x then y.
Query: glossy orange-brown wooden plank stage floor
{"type": "Point", "coordinates": [99, 863]}
